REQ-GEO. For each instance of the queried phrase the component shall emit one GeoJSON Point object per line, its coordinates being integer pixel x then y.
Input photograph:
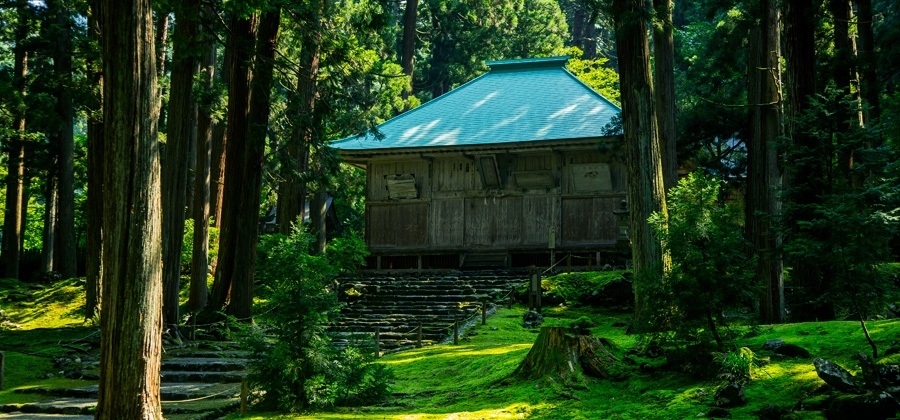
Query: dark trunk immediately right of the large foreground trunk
{"type": "Point", "coordinates": [180, 137]}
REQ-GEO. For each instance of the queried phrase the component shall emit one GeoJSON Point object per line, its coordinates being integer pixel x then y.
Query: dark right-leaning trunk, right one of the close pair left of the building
{"type": "Point", "coordinates": [250, 184]}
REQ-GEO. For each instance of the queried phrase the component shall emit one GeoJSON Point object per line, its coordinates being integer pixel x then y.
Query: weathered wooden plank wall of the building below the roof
{"type": "Point", "coordinates": [556, 199]}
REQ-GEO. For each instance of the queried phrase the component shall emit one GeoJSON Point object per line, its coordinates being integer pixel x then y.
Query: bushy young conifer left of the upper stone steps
{"type": "Point", "coordinates": [293, 359]}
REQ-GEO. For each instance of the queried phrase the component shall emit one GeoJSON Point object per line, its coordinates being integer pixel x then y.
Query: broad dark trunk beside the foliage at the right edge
{"type": "Point", "coordinates": [806, 182]}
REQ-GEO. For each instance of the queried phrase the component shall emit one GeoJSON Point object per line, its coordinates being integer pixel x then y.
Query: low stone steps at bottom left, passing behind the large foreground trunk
{"type": "Point", "coordinates": [197, 383]}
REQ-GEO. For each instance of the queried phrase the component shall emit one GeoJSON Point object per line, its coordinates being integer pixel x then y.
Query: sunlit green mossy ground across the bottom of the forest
{"type": "Point", "coordinates": [471, 380]}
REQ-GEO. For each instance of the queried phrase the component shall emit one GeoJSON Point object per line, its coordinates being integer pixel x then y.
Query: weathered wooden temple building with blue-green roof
{"type": "Point", "coordinates": [514, 168]}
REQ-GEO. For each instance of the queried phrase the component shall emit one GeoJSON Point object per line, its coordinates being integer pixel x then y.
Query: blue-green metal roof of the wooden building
{"type": "Point", "coordinates": [516, 101]}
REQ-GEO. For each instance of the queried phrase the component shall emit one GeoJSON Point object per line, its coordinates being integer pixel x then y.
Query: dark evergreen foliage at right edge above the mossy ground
{"type": "Point", "coordinates": [845, 233]}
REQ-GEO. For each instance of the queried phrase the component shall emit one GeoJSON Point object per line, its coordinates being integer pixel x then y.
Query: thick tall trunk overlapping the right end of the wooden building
{"type": "Point", "coordinates": [646, 192]}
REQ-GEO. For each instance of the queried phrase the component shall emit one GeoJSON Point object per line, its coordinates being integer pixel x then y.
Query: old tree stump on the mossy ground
{"type": "Point", "coordinates": [561, 352]}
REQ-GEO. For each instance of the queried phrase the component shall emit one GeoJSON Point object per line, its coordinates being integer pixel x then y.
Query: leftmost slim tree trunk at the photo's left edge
{"type": "Point", "coordinates": [15, 177]}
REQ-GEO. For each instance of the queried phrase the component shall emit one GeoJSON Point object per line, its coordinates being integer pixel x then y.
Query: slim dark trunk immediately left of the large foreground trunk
{"type": "Point", "coordinates": [93, 258]}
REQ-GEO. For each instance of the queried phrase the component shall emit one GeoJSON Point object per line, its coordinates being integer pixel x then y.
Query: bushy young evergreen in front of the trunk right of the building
{"type": "Point", "coordinates": [711, 273]}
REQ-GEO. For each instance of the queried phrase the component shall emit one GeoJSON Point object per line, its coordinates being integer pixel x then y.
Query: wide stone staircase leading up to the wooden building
{"type": "Point", "coordinates": [396, 305]}
